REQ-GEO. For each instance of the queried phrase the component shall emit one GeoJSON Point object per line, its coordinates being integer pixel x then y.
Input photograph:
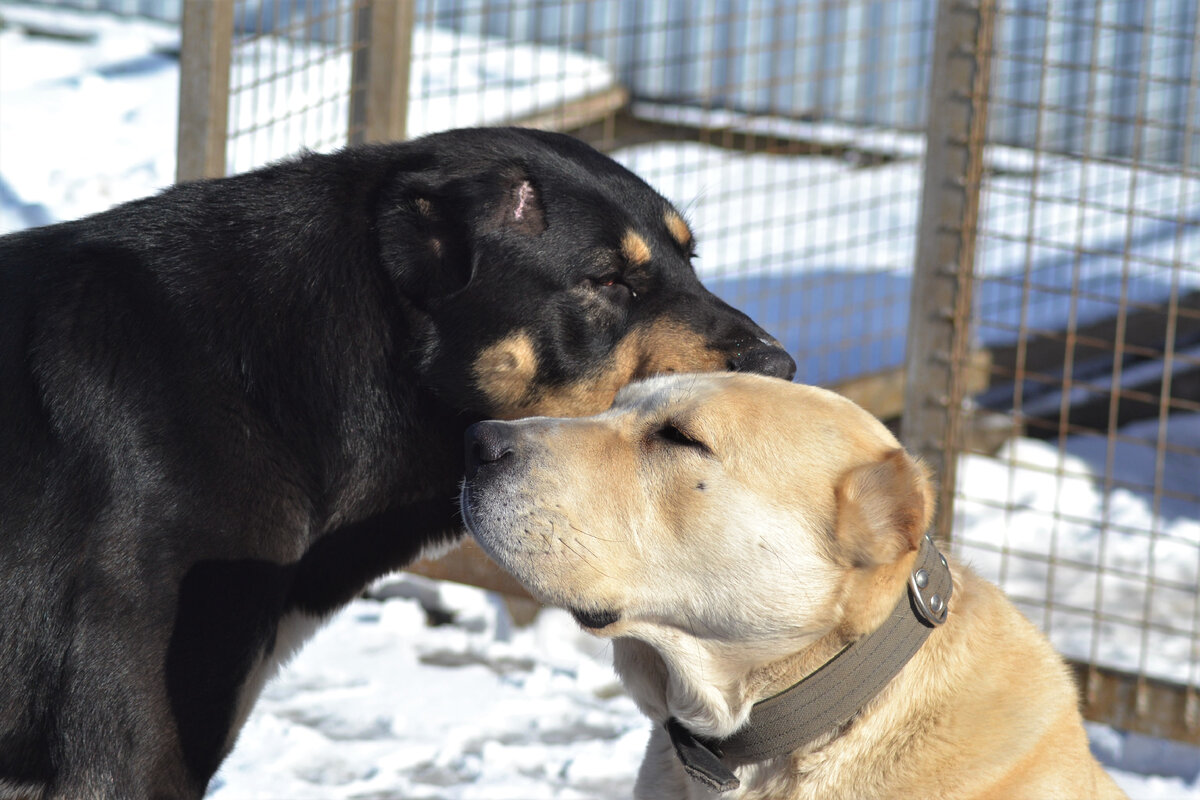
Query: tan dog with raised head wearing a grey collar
{"type": "Point", "coordinates": [733, 534]}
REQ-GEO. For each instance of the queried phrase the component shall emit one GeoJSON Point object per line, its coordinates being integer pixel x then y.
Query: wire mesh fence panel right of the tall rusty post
{"type": "Point", "coordinates": [1087, 274]}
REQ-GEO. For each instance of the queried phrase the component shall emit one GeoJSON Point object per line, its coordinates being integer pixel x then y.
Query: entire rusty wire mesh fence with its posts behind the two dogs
{"type": "Point", "coordinates": [794, 136]}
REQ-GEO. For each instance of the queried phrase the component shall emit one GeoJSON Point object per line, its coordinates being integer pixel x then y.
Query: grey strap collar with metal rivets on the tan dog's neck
{"type": "Point", "coordinates": [830, 697]}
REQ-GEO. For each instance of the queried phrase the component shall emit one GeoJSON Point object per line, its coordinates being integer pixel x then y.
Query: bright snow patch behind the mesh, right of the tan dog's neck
{"type": "Point", "coordinates": [1035, 502]}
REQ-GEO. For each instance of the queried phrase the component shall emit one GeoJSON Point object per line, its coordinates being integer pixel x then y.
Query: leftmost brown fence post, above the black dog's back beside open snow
{"type": "Point", "coordinates": [206, 49]}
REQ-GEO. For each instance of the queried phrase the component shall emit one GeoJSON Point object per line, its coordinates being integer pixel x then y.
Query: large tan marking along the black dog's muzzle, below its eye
{"type": "Point", "coordinates": [661, 348]}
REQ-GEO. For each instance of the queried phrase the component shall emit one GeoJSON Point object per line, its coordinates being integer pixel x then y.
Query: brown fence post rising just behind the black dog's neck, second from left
{"type": "Point", "coordinates": [383, 50]}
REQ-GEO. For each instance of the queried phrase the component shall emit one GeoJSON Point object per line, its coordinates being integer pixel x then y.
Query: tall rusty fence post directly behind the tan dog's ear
{"type": "Point", "coordinates": [940, 311]}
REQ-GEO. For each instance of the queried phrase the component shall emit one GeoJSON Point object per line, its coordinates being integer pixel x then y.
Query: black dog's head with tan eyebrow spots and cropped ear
{"type": "Point", "coordinates": [548, 276]}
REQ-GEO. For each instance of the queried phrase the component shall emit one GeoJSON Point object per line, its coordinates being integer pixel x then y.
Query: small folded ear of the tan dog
{"type": "Point", "coordinates": [884, 509]}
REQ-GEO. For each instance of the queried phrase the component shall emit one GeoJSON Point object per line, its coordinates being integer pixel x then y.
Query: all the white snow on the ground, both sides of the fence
{"type": "Point", "coordinates": [382, 705]}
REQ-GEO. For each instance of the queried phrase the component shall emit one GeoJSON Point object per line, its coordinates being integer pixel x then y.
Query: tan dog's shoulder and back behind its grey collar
{"type": "Point", "coordinates": [986, 711]}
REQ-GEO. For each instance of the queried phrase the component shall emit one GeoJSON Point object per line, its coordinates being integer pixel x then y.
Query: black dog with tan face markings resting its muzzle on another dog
{"type": "Point", "coordinates": [227, 408]}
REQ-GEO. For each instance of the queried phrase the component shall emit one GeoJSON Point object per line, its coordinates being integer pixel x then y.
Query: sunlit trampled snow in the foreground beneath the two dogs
{"type": "Point", "coordinates": [382, 706]}
